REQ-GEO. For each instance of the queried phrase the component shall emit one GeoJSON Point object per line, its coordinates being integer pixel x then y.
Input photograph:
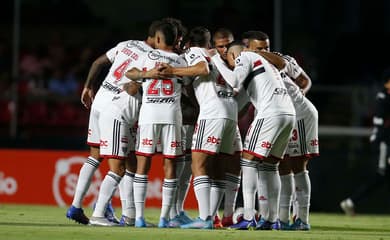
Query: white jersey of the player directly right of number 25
{"type": "Point", "coordinates": [214, 95]}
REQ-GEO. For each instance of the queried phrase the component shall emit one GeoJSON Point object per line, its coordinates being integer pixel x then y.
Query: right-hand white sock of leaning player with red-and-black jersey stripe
{"type": "Point", "coordinates": [273, 189]}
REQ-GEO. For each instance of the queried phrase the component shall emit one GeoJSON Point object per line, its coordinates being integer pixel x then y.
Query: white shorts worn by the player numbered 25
{"type": "Point", "coordinates": [169, 136]}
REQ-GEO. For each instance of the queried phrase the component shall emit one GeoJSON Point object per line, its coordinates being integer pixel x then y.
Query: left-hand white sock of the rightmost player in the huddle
{"type": "Point", "coordinates": [287, 188]}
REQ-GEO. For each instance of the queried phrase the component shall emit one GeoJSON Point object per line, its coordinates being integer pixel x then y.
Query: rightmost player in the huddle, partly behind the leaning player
{"type": "Point", "coordinates": [303, 144]}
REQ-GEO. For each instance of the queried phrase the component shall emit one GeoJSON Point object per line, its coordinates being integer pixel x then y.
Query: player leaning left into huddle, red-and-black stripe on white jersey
{"type": "Point", "coordinates": [268, 135]}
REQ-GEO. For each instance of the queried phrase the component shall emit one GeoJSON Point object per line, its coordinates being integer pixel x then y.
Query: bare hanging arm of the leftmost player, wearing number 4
{"type": "Point", "coordinates": [87, 94]}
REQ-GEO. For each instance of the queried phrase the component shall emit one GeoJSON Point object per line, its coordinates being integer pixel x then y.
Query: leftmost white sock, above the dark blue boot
{"type": "Point", "coordinates": [84, 180]}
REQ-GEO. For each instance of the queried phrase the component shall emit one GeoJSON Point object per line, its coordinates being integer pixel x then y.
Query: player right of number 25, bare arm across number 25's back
{"type": "Point", "coordinates": [215, 131]}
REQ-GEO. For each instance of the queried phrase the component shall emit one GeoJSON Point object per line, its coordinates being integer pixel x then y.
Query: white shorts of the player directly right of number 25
{"type": "Point", "coordinates": [214, 136]}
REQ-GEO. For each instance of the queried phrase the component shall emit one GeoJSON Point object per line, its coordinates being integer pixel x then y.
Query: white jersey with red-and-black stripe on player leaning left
{"type": "Point", "coordinates": [263, 84]}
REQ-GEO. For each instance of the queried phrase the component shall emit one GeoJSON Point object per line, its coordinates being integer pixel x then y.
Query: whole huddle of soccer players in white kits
{"type": "Point", "coordinates": [174, 94]}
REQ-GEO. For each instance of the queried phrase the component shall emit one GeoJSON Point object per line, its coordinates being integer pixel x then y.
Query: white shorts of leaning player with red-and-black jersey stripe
{"type": "Point", "coordinates": [269, 136]}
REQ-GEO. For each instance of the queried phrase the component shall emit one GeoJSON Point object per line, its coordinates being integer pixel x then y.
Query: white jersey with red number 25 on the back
{"type": "Point", "coordinates": [161, 97]}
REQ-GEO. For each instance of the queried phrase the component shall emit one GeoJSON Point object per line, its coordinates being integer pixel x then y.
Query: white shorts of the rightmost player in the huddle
{"type": "Point", "coordinates": [304, 137]}
